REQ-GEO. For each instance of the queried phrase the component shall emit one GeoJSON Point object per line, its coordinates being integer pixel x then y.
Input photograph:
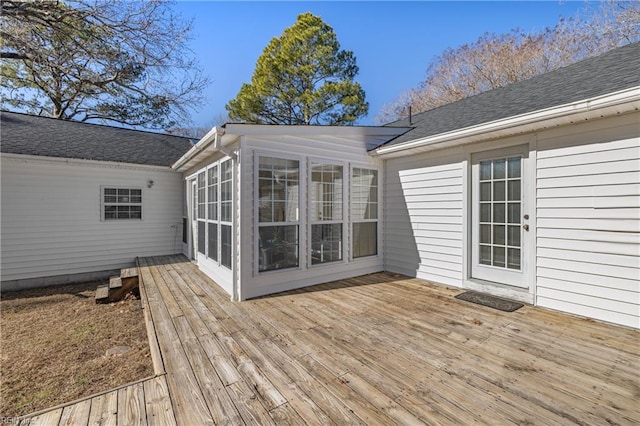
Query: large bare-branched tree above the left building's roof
{"type": "Point", "coordinates": [125, 62]}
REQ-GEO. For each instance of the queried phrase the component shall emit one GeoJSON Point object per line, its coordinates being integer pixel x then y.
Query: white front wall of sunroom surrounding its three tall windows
{"type": "Point", "coordinates": [350, 151]}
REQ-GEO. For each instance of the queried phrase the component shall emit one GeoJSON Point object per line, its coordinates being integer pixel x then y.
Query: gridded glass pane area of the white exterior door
{"type": "Point", "coordinates": [500, 213]}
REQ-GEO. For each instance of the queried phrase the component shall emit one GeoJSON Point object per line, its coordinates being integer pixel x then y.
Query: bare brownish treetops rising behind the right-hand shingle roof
{"type": "Point", "coordinates": [496, 60]}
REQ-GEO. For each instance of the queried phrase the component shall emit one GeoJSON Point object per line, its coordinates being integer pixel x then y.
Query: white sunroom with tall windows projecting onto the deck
{"type": "Point", "coordinates": [273, 208]}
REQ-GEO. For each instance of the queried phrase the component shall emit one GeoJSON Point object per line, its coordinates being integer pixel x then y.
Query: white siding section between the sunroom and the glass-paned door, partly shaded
{"type": "Point", "coordinates": [423, 216]}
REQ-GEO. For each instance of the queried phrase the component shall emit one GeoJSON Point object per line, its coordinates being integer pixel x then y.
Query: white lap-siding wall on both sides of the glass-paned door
{"type": "Point", "coordinates": [587, 218]}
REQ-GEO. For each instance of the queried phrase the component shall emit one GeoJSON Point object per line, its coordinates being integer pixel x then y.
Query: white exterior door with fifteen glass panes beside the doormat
{"type": "Point", "coordinates": [499, 216]}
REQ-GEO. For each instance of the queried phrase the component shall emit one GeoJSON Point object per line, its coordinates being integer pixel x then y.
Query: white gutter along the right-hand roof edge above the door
{"type": "Point", "coordinates": [589, 105]}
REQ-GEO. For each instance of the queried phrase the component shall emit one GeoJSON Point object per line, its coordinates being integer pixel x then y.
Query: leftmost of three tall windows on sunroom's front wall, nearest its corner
{"type": "Point", "coordinates": [278, 213]}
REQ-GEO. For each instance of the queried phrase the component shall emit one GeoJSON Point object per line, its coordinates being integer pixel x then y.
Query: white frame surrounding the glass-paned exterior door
{"type": "Point", "coordinates": [527, 143]}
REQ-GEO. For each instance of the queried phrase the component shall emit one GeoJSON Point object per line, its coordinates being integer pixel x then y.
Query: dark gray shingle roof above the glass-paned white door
{"type": "Point", "coordinates": [610, 72]}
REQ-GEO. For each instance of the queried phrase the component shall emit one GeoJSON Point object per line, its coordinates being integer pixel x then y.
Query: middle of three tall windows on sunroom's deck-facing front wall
{"type": "Point", "coordinates": [326, 194]}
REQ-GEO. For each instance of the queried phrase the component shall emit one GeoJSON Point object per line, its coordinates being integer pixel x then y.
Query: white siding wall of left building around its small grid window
{"type": "Point", "coordinates": [51, 217]}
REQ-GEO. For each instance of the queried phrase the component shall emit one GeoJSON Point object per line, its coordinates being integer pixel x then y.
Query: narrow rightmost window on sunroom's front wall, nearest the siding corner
{"type": "Point", "coordinates": [364, 212]}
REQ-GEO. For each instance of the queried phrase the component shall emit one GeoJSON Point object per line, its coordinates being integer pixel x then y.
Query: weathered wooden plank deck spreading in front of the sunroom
{"type": "Point", "coordinates": [378, 349]}
